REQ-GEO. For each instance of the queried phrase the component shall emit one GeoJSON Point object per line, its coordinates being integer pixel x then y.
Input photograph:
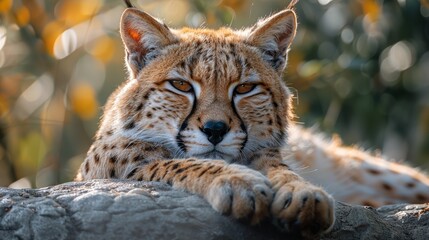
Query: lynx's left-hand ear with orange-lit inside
{"type": "Point", "coordinates": [143, 37]}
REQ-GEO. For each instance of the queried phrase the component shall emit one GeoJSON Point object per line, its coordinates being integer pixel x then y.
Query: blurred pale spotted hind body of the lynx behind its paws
{"type": "Point", "coordinates": [352, 175]}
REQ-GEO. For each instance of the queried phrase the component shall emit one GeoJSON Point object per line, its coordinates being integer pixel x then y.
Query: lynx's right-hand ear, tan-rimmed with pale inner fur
{"type": "Point", "coordinates": [273, 37]}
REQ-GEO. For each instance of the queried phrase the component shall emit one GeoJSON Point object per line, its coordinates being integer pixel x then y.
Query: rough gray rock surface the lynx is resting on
{"type": "Point", "coordinates": [110, 209]}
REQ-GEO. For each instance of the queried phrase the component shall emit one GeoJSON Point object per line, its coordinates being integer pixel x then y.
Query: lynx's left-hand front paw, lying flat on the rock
{"type": "Point", "coordinates": [244, 194]}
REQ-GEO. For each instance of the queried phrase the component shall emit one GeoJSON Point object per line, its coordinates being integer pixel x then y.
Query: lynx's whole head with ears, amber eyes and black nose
{"type": "Point", "coordinates": [205, 93]}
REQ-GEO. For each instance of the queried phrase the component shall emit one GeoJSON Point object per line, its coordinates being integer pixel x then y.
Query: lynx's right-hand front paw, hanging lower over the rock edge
{"type": "Point", "coordinates": [303, 209]}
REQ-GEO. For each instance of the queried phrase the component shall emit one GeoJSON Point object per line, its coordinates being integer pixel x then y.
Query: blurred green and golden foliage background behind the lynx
{"type": "Point", "coordinates": [358, 68]}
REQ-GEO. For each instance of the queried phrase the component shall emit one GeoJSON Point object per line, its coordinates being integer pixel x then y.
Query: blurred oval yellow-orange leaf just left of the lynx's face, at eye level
{"type": "Point", "coordinates": [83, 101]}
